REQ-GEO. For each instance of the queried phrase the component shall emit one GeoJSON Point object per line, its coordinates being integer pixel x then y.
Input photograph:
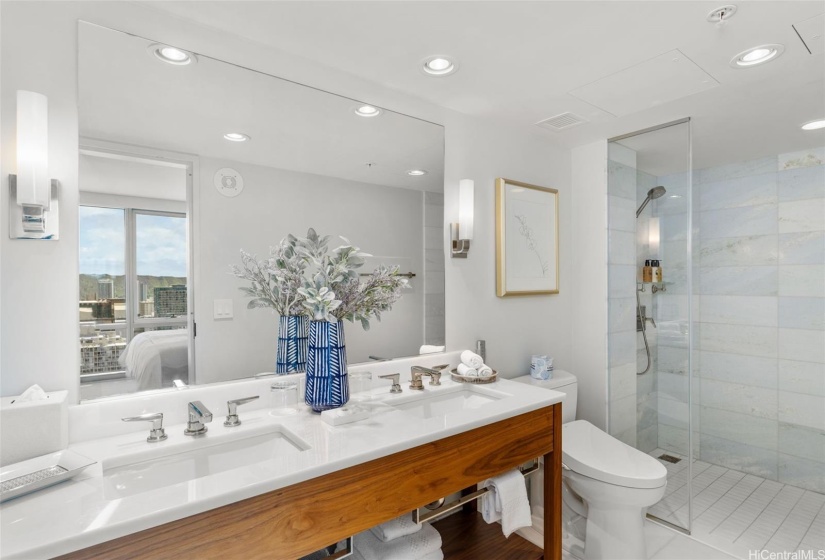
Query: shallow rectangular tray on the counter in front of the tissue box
{"type": "Point", "coordinates": [34, 474]}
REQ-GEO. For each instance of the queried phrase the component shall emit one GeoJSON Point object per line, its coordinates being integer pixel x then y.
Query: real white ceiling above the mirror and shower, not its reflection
{"type": "Point", "coordinates": [519, 61]}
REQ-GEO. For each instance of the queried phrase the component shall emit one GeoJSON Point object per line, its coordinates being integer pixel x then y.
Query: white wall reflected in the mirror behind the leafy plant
{"type": "Point", "coordinates": [385, 222]}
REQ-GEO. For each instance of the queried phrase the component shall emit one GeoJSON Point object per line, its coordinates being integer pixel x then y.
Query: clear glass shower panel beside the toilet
{"type": "Point", "coordinates": [649, 311]}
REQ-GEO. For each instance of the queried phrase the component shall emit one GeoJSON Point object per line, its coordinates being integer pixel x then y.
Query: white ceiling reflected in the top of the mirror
{"type": "Point", "coordinates": [127, 95]}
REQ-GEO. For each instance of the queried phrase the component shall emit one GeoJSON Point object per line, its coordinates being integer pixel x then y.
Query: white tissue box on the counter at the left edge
{"type": "Point", "coordinates": [33, 428]}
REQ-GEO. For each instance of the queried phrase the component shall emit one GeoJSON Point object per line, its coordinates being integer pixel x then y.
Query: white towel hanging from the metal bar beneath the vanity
{"type": "Point", "coordinates": [507, 501]}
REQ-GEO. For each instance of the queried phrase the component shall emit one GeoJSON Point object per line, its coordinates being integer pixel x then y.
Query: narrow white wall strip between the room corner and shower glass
{"type": "Point", "coordinates": [589, 271]}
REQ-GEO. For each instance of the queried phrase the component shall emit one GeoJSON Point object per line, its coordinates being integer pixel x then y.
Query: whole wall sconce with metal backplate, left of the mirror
{"type": "Point", "coordinates": [33, 212]}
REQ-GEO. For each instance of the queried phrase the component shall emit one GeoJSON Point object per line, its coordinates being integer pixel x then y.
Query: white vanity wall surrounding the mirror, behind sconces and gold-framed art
{"type": "Point", "coordinates": [38, 281]}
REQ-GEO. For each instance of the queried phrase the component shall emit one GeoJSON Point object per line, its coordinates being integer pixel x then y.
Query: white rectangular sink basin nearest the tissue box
{"type": "Point", "coordinates": [143, 474]}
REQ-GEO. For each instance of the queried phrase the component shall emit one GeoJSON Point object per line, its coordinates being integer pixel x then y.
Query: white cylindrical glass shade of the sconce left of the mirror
{"type": "Point", "coordinates": [33, 181]}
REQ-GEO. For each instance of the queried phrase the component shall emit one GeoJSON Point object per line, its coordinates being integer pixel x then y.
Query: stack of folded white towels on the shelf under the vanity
{"type": "Point", "coordinates": [399, 539]}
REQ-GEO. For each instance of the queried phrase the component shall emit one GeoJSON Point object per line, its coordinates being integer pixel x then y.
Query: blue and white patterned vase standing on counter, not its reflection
{"type": "Point", "coordinates": [326, 385]}
